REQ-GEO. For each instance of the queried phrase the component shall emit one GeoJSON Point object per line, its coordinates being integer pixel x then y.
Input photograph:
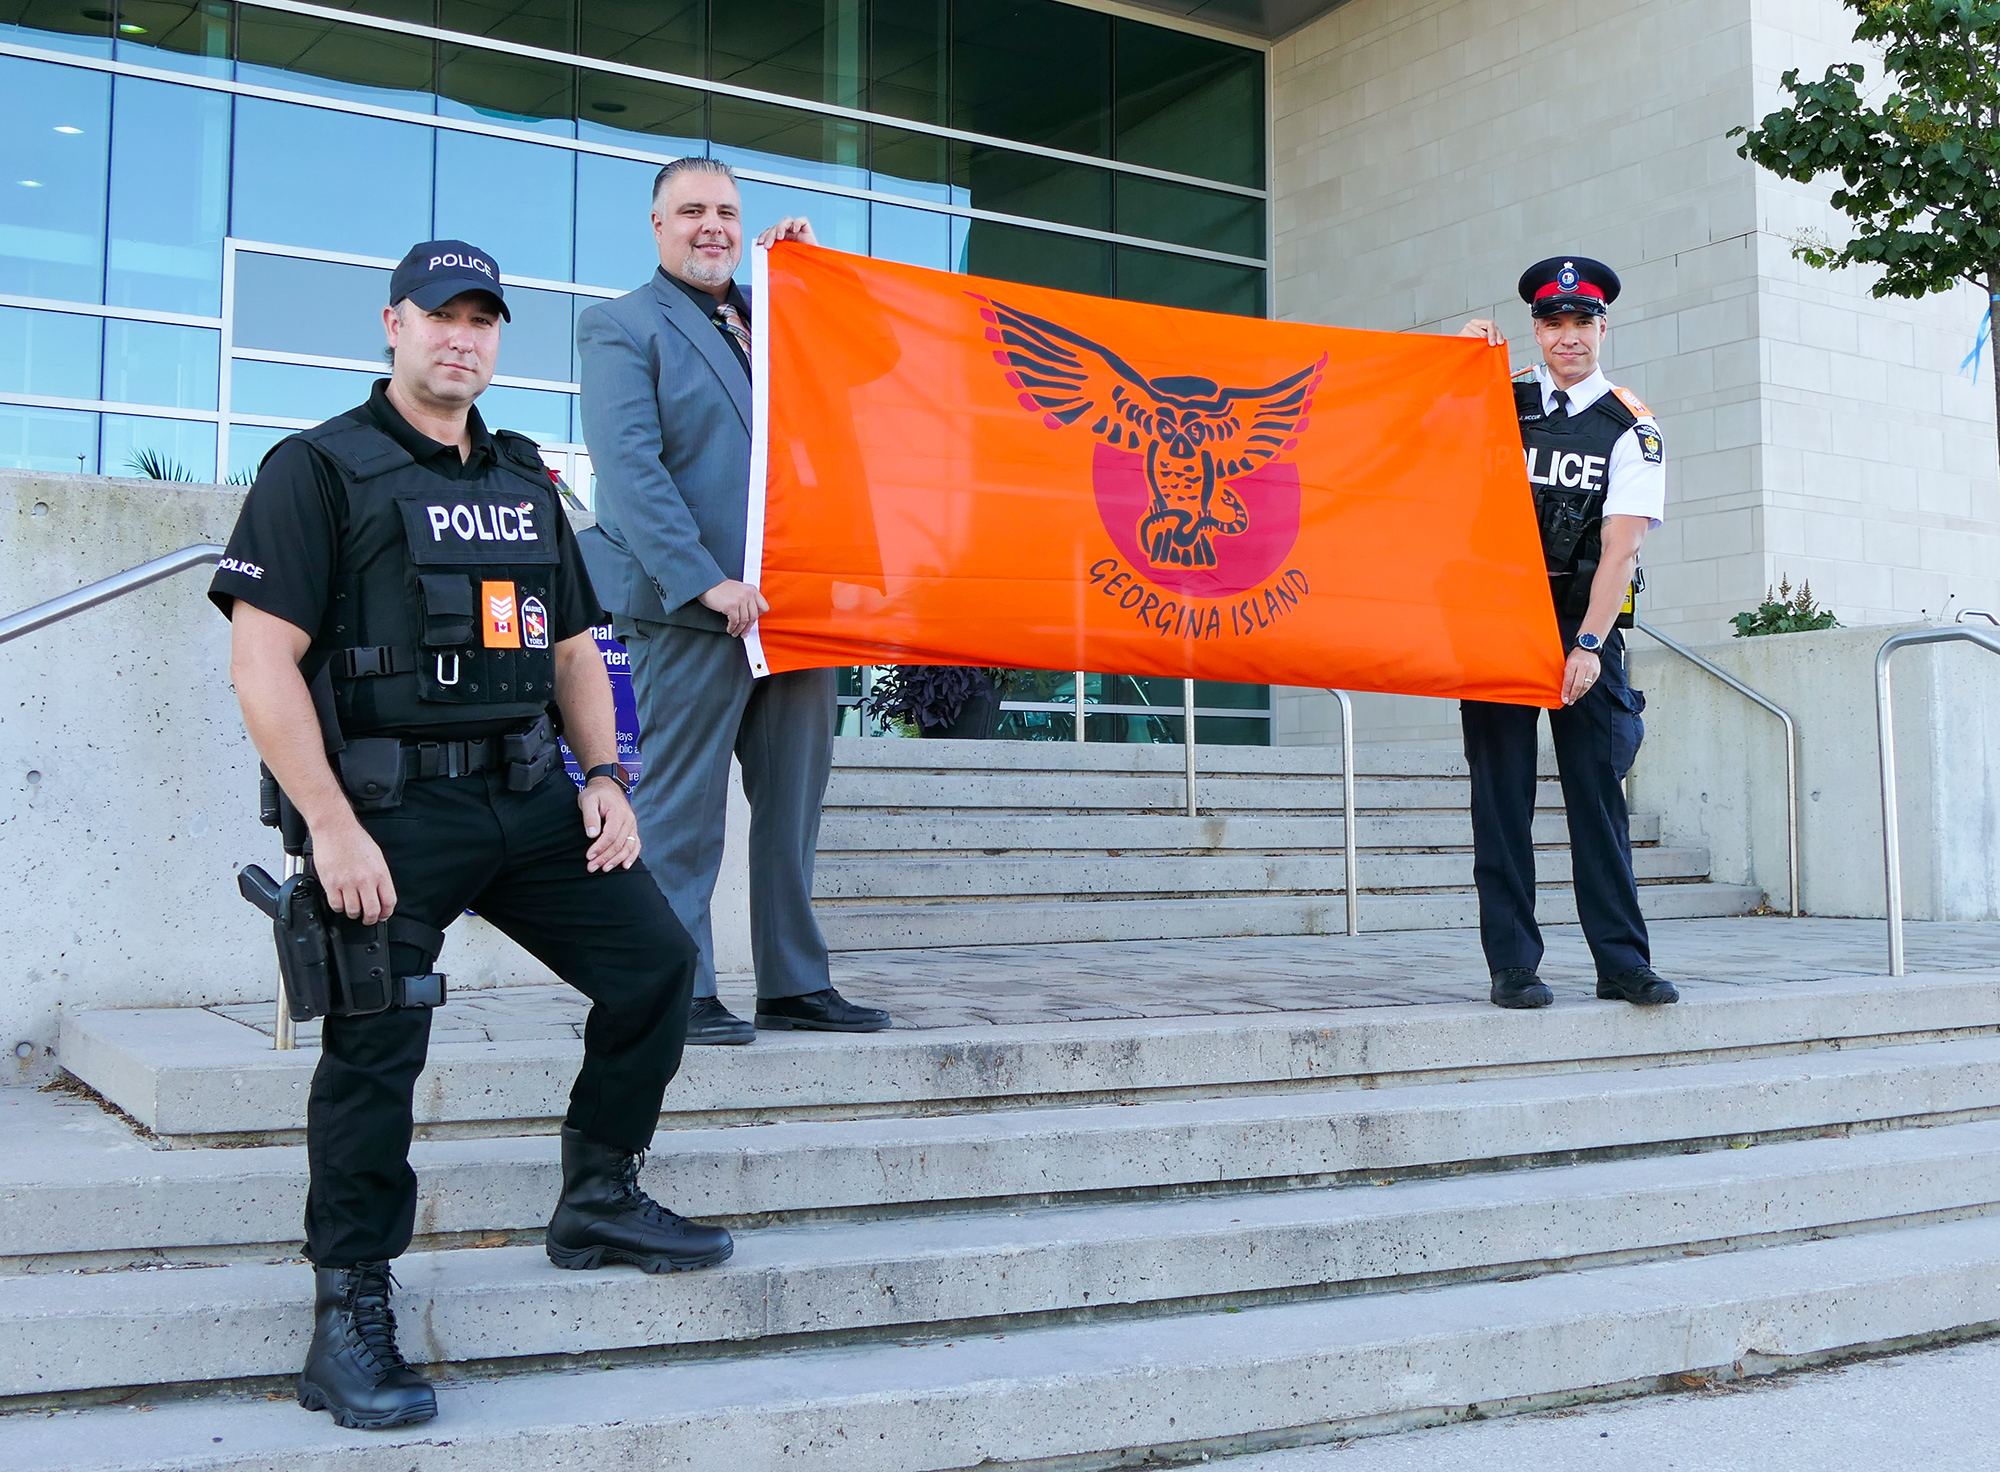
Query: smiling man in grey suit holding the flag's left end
{"type": "Point", "coordinates": [667, 417]}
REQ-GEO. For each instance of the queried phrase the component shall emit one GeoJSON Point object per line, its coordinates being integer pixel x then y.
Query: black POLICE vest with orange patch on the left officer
{"type": "Point", "coordinates": [443, 591]}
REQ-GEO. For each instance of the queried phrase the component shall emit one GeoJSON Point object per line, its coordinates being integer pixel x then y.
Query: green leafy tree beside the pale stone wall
{"type": "Point", "coordinates": [1919, 163]}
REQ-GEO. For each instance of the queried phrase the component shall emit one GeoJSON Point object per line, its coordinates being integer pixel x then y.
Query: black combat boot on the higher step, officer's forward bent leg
{"type": "Point", "coordinates": [605, 1217]}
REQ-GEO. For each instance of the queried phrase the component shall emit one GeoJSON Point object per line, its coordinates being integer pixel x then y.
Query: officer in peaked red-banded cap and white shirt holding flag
{"type": "Point", "coordinates": [1599, 475]}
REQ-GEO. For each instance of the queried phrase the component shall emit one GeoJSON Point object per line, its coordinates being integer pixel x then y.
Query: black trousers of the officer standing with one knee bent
{"type": "Point", "coordinates": [519, 861]}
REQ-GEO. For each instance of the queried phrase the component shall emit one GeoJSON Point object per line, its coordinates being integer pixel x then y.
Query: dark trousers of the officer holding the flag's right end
{"type": "Point", "coordinates": [1597, 741]}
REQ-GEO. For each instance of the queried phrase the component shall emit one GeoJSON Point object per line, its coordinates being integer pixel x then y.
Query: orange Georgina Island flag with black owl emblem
{"type": "Point", "coordinates": [961, 471]}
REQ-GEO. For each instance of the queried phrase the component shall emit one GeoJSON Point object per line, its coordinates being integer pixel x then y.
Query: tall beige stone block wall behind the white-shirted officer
{"type": "Point", "coordinates": [1427, 153]}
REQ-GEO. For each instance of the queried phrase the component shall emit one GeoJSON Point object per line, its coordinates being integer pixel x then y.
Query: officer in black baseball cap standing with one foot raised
{"type": "Point", "coordinates": [425, 569]}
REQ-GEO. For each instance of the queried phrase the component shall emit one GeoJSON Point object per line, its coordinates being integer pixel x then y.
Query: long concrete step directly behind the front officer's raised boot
{"type": "Point", "coordinates": [129, 1205]}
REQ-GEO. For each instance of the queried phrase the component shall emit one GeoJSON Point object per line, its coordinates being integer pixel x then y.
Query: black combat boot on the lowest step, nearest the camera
{"type": "Point", "coordinates": [355, 1369]}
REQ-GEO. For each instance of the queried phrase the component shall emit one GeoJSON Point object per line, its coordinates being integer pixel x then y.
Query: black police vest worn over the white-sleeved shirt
{"type": "Point", "coordinates": [1569, 467]}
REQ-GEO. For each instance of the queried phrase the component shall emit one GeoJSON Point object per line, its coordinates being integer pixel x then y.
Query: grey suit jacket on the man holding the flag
{"type": "Point", "coordinates": [667, 417]}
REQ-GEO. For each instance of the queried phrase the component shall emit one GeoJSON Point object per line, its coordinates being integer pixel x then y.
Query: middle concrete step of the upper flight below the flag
{"type": "Point", "coordinates": [1159, 833]}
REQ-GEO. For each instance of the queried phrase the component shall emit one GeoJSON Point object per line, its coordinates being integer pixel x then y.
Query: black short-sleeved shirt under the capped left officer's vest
{"type": "Point", "coordinates": [285, 553]}
